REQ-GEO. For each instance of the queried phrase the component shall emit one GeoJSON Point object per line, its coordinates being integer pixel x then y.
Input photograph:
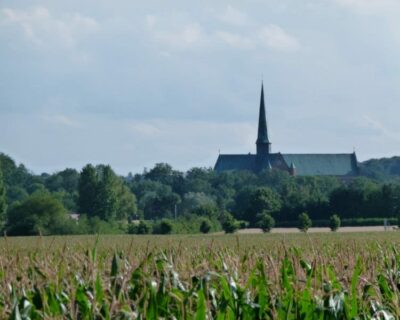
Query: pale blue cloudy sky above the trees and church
{"type": "Point", "coordinates": [134, 83]}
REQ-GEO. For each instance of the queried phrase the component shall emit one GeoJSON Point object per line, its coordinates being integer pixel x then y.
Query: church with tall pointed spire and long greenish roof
{"type": "Point", "coordinates": [313, 164]}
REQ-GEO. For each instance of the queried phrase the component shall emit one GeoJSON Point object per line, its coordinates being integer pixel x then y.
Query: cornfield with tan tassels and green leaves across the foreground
{"type": "Point", "coordinates": [246, 276]}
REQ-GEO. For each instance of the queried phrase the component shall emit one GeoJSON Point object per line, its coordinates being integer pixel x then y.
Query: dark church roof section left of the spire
{"type": "Point", "coordinates": [226, 162]}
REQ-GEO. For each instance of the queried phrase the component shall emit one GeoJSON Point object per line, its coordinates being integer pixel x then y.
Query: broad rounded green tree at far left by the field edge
{"type": "Point", "coordinates": [38, 214]}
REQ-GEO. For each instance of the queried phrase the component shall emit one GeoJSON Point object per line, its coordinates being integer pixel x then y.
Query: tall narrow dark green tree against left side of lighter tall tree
{"type": "Point", "coordinates": [87, 187]}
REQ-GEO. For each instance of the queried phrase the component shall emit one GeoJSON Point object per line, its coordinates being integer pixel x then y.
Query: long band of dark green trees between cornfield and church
{"type": "Point", "coordinates": [167, 200]}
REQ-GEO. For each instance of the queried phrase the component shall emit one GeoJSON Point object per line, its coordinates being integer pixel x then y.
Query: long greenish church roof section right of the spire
{"type": "Point", "coordinates": [323, 164]}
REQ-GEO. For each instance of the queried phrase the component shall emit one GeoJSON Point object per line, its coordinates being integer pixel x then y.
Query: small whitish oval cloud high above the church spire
{"type": "Point", "coordinates": [275, 37]}
